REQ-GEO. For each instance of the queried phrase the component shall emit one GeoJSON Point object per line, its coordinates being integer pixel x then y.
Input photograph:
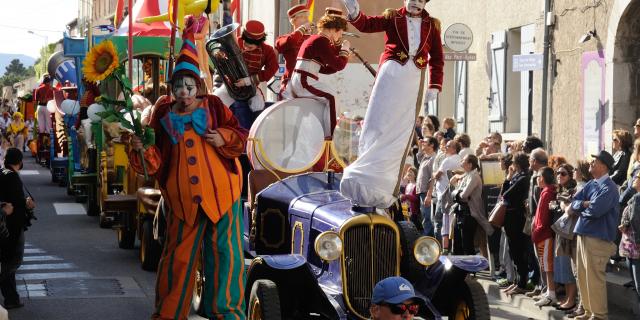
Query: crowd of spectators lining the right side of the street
{"type": "Point", "coordinates": [563, 223]}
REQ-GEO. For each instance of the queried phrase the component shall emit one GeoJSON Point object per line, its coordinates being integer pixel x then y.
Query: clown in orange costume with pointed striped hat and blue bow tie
{"type": "Point", "coordinates": [194, 159]}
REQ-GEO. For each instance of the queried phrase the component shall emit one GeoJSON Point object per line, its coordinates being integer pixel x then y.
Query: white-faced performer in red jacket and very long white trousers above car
{"type": "Point", "coordinates": [412, 42]}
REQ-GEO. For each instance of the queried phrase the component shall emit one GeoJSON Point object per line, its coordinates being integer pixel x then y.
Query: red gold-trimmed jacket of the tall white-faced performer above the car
{"type": "Point", "coordinates": [397, 41]}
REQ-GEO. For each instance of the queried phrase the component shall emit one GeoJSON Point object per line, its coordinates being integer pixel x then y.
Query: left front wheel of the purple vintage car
{"type": "Point", "coordinates": [264, 302]}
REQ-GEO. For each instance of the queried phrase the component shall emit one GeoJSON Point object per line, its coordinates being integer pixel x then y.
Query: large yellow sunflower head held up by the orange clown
{"type": "Point", "coordinates": [100, 62]}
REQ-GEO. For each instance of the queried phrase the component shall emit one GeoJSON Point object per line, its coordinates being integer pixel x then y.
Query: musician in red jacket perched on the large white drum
{"type": "Point", "coordinates": [324, 53]}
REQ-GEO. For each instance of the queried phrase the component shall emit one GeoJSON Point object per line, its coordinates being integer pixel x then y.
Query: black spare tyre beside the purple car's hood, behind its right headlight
{"type": "Point", "coordinates": [409, 267]}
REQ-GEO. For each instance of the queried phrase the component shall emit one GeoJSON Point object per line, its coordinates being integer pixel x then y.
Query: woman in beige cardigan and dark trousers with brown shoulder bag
{"type": "Point", "coordinates": [471, 212]}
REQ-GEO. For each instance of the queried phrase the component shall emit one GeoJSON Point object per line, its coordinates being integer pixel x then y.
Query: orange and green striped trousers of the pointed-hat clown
{"type": "Point", "coordinates": [219, 245]}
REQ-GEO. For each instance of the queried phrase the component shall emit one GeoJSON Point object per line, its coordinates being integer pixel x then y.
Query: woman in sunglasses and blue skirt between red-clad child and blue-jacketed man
{"type": "Point", "coordinates": [565, 248]}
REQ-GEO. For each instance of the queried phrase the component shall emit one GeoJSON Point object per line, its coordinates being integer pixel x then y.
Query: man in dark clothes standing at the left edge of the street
{"type": "Point", "coordinates": [12, 248]}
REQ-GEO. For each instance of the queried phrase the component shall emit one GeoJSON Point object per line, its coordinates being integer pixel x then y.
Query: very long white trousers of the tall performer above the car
{"type": "Point", "coordinates": [388, 125]}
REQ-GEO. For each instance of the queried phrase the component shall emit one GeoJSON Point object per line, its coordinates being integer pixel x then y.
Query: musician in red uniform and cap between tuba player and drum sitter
{"type": "Point", "coordinates": [288, 45]}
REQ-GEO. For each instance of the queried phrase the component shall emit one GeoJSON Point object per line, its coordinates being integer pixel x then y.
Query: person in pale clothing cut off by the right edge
{"type": "Point", "coordinates": [630, 243]}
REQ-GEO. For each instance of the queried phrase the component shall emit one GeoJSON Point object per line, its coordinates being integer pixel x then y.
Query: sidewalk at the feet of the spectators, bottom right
{"type": "Point", "coordinates": [621, 300]}
